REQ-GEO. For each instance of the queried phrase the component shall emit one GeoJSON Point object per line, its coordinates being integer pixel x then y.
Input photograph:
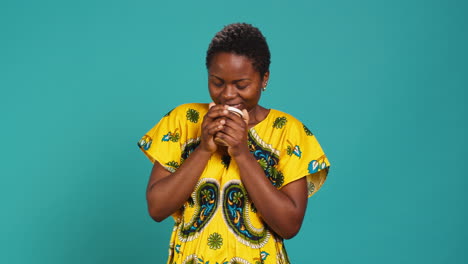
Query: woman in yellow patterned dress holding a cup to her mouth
{"type": "Point", "coordinates": [235, 183]}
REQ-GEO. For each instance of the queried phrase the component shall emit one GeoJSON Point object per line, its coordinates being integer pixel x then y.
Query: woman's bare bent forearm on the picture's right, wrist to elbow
{"type": "Point", "coordinates": [277, 209]}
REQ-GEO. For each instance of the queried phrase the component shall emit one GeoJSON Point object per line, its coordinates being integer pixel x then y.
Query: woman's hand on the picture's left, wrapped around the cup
{"type": "Point", "coordinates": [212, 123]}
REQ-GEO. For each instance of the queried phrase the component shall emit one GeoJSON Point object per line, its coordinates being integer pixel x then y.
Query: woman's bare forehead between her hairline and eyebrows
{"type": "Point", "coordinates": [230, 65]}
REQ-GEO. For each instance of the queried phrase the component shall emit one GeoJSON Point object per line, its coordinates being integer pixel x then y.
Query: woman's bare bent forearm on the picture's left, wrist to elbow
{"type": "Point", "coordinates": [168, 194]}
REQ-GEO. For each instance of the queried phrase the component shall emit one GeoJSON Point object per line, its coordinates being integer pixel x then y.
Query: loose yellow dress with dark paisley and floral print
{"type": "Point", "coordinates": [219, 224]}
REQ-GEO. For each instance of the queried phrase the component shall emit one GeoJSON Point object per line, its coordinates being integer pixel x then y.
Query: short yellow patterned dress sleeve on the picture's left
{"type": "Point", "coordinates": [163, 142]}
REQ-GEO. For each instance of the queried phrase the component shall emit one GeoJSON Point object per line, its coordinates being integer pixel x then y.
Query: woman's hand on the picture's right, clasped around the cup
{"type": "Point", "coordinates": [234, 133]}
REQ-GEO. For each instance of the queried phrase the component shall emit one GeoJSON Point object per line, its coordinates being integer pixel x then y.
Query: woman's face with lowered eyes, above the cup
{"type": "Point", "coordinates": [233, 81]}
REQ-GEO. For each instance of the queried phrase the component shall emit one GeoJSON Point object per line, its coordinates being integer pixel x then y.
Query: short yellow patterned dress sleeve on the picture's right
{"type": "Point", "coordinates": [302, 156]}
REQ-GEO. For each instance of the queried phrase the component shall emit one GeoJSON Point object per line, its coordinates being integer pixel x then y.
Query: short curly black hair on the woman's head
{"type": "Point", "coordinates": [241, 39]}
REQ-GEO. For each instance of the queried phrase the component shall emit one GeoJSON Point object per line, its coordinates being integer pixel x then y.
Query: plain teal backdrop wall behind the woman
{"type": "Point", "coordinates": [382, 84]}
